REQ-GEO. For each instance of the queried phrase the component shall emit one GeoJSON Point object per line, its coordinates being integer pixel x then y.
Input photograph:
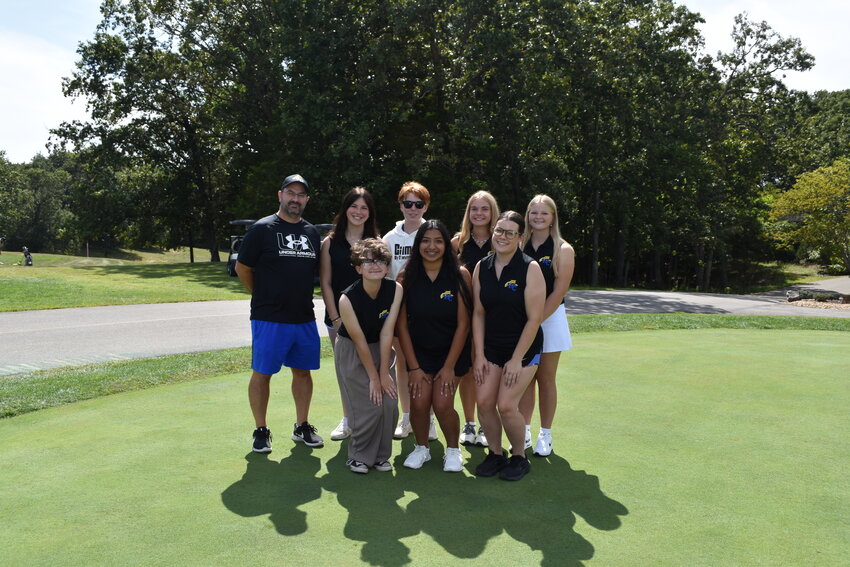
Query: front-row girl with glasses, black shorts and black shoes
{"type": "Point", "coordinates": [509, 292]}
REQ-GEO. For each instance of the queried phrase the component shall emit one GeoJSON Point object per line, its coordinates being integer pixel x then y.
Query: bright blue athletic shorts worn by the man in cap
{"type": "Point", "coordinates": [294, 345]}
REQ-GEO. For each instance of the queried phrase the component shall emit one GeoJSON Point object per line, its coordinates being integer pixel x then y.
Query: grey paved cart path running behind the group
{"type": "Point", "coordinates": [33, 340]}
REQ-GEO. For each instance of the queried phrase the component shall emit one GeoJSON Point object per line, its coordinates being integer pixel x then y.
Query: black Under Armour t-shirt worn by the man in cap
{"type": "Point", "coordinates": [285, 259]}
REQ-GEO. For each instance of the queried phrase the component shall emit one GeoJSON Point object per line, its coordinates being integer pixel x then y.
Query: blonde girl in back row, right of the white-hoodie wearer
{"type": "Point", "coordinates": [472, 244]}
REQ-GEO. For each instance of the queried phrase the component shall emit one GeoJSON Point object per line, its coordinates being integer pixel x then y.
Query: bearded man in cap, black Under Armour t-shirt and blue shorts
{"type": "Point", "coordinates": [277, 262]}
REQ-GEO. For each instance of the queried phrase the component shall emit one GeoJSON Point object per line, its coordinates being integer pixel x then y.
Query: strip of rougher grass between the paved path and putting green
{"type": "Point", "coordinates": [28, 392]}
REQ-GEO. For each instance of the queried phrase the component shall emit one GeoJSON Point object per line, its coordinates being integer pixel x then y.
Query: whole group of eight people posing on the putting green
{"type": "Point", "coordinates": [413, 318]}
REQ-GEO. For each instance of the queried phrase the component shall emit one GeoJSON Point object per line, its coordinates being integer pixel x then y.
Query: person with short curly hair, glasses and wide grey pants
{"type": "Point", "coordinates": [363, 357]}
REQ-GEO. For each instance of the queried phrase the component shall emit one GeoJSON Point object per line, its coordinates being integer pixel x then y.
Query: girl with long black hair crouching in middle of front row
{"type": "Point", "coordinates": [433, 329]}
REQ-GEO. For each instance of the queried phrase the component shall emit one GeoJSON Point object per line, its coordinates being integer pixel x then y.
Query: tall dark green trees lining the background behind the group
{"type": "Point", "coordinates": [664, 161]}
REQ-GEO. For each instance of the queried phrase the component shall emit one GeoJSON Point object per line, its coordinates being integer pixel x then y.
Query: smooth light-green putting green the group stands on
{"type": "Point", "coordinates": [700, 447]}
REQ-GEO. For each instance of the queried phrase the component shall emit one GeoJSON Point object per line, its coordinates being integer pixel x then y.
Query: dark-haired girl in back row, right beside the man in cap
{"type": "Point", "coordinates": [355, 221]}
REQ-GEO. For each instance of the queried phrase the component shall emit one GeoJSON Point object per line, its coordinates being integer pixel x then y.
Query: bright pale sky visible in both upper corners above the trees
{"type": "Point", "coordinates": [38, 42]}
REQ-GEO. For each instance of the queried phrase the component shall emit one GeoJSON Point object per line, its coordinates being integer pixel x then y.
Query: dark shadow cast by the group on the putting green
{"type": "Point", "coordinates": [460, 513]}
